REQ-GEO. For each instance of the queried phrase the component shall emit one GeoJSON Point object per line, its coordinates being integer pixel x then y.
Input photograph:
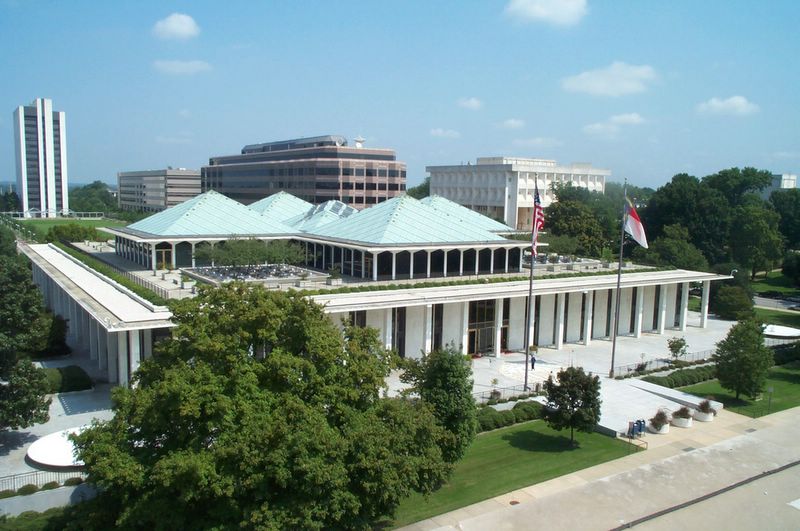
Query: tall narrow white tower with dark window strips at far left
{"type": "Point", "coordinates": [40, 141]}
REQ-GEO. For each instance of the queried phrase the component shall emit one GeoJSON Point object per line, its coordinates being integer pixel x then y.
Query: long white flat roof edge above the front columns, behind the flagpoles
{"type": "Point", "coordinates": [371, 300]}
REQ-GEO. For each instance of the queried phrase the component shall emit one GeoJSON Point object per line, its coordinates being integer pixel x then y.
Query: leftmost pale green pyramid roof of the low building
{"type": "Point", "coordinates": [208, 214]}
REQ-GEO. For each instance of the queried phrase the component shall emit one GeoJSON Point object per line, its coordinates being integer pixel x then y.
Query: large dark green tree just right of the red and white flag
{"type": "Point", "coordinates": [703, 210]}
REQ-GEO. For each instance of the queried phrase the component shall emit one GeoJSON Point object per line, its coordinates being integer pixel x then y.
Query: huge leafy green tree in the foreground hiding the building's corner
{"type": "Point", "coordinates": [259, 412]}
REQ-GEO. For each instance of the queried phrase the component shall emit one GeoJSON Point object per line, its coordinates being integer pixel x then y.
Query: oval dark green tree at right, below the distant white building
{"type": "Point", "coordinates": [756, 242]}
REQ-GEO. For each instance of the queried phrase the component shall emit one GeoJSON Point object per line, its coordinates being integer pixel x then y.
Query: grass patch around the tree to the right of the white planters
{"type": "Point", "coordinates": [785, 383]}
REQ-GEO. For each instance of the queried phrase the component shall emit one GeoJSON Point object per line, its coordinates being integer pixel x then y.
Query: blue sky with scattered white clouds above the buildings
{"type": "Point", "coordinates": [645, 89]}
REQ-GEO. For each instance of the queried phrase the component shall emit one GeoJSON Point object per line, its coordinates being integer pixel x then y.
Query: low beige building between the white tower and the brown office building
{"type": "Point", "coordinates": [156, 190]}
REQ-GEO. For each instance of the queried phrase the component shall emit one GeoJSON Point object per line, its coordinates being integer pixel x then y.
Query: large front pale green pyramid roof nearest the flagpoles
{"type": "Point", "coordinates": [404, 220]}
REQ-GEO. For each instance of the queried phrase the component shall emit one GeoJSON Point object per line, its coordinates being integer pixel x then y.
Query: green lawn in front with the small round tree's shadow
{"type": "Point", "coordinates": [508, 459]}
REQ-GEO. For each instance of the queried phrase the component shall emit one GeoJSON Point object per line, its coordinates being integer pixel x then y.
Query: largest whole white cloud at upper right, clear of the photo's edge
{"type": "Point", "coordinates": [617, 79]}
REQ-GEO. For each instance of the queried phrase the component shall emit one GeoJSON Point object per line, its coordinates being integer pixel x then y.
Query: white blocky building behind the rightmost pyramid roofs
{"type": "Point", "coordinates": [502, 188]}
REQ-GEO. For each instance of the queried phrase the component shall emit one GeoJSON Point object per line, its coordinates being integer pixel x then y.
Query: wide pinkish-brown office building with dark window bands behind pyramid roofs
{"type": "Point", "coordinates": [316, 169]}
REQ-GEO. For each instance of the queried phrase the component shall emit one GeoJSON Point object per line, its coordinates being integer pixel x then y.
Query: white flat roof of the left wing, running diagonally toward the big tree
{"type": "Point", "coordinates": [112, 305]}
